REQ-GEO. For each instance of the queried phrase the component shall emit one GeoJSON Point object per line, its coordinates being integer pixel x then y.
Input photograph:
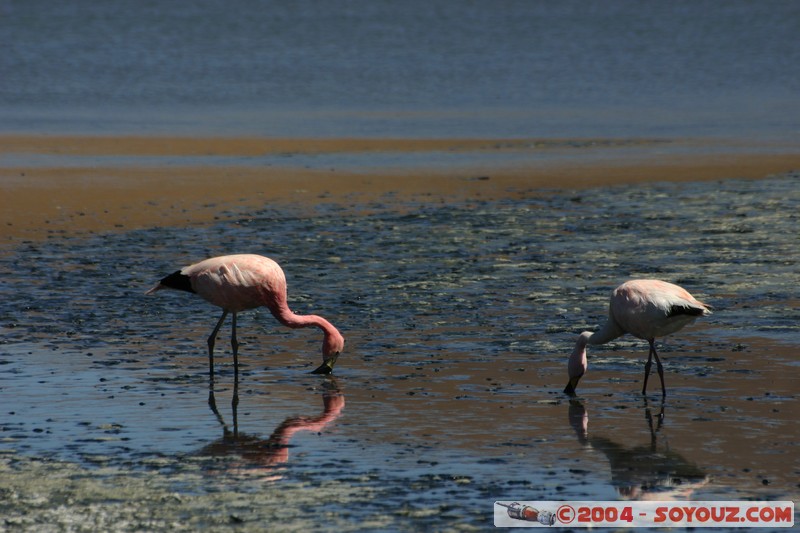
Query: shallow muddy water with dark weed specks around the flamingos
{"type": "Point", "coordinates": [459, 319]}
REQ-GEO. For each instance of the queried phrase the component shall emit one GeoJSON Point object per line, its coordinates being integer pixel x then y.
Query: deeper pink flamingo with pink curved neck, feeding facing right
{"type": "Point", "coordinates": [240, 282]}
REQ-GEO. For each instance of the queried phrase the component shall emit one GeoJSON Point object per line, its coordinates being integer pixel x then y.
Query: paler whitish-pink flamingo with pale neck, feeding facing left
{"type": "Point", "coordinates": [645, 308]}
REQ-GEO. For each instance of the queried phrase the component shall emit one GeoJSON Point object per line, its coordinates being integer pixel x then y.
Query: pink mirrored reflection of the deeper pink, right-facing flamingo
{"type": "Point", "coordinates": [259, 457]}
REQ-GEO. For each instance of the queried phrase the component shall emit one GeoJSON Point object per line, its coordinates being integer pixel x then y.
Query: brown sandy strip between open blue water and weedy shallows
{"type": "Point", "coordinates": [39, 199]}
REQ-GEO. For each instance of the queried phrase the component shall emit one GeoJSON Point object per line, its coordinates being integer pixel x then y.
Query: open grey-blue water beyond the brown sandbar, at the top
{"type": "Point", "coordinates": [414, 68]}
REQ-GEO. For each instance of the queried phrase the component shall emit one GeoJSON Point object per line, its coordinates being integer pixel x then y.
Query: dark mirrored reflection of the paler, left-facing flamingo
{"type": "Point", "coordinates": [649, 472]}
